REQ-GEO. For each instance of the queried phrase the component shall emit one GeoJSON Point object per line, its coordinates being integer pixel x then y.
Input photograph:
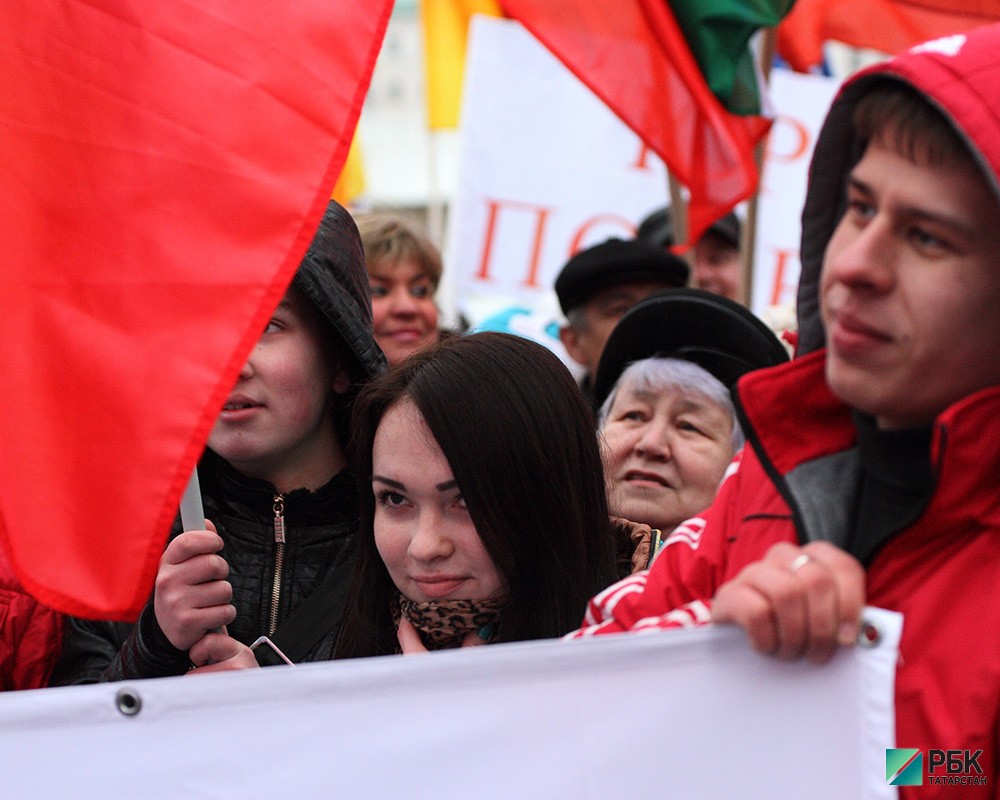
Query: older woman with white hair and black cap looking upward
{"type": "Point", "coordinates": [667, 422]}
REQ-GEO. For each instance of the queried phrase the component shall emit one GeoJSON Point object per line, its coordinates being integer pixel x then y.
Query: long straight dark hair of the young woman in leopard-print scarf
{"type": "Point", "coordinates": [520, 441]}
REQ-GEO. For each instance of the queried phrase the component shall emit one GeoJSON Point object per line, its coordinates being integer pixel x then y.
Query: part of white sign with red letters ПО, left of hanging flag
{"type": "Point", "coordinates": [545, 169]}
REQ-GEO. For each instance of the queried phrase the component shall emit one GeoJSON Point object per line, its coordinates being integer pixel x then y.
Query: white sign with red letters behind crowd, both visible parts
{"type": "Point", "coordinates": [546, 169]}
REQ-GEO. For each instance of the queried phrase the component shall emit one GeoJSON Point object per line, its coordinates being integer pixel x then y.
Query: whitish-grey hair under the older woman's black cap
{"type": "Point", "coordinates": [658, 374]}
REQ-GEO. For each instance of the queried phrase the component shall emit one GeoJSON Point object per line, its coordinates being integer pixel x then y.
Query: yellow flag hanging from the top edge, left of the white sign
{"type": "Point", "coordinates": [446, 28]}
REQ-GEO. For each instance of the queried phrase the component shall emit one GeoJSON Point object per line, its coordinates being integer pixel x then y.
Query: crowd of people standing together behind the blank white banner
{"type": "Point", "coordinates": [374, 486]}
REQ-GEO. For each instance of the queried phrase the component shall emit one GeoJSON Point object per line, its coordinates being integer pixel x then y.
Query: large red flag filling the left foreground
{"type": "Point", "coordinates": [165, 164]}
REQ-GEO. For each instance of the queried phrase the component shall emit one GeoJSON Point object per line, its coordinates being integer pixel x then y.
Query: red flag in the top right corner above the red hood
{"type": "Point", "coordinates": [889, 26]}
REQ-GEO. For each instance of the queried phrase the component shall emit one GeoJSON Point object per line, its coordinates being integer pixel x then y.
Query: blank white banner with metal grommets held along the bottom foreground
{"type": "Point", "coordinates": [685, 714]}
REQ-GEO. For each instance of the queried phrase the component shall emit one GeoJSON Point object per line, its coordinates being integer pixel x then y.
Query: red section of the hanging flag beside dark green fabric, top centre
{"type": "Point", "coordinates": [633, 55]}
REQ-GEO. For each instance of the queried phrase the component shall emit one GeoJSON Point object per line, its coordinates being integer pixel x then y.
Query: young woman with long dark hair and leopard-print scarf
{"type": "Point", "coordinates": [483, 511]}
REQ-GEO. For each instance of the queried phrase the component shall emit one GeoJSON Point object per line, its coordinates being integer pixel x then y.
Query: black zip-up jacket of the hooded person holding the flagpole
{"type": "Point", "coordinates": [320, 531]}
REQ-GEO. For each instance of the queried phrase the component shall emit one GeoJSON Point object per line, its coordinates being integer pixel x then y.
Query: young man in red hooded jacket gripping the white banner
{"type": "Point", "coordinates": [872, 467]}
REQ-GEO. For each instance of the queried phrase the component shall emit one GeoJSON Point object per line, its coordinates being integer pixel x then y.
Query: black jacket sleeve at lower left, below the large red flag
{"type": "Point", "coordinates": [95, 651]}
